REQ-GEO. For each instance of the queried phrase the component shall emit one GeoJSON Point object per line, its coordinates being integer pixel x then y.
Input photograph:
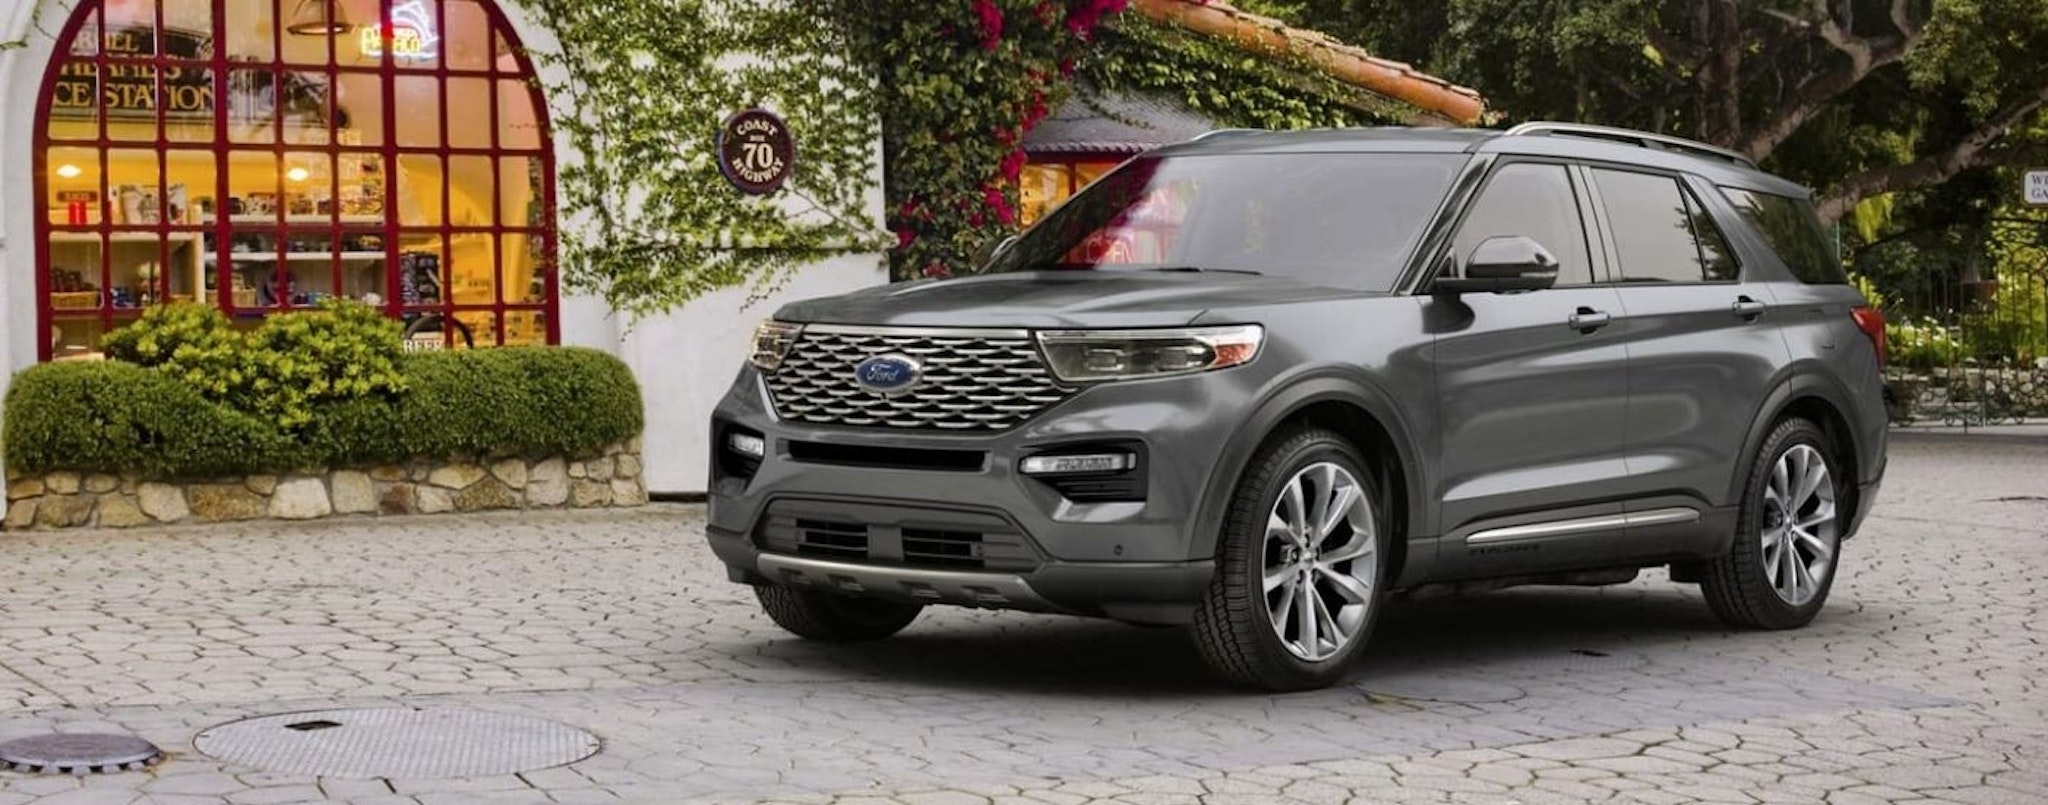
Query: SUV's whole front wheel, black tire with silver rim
{"type": "Point", "coordinates": [1240, 624]}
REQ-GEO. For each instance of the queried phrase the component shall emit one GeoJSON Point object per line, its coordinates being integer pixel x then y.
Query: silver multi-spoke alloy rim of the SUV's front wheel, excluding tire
{"type": "Point", "coordinates": [1320, 562]}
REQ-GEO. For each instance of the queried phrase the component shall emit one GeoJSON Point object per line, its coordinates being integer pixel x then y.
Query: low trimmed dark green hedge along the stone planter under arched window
{"type": "Point", "coordinates": [480, 405]}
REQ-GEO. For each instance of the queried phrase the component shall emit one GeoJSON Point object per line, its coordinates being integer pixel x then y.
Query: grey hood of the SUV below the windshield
{"type": "Point", "coordinates": [1056, 300]}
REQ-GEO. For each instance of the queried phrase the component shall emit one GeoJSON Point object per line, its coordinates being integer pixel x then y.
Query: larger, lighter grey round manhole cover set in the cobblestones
{"type": "Point", "coordinates": [396, 743]}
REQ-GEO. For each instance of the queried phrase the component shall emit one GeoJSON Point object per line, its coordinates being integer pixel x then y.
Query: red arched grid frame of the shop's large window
{"type": "Point", "coordinates": [222, 228]}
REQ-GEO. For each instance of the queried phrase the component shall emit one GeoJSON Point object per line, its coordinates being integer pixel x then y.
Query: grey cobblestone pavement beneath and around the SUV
{"type": "Point", "coordinates": [1920, 683]}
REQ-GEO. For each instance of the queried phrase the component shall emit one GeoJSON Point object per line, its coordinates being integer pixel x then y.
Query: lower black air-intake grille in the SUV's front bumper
{"type": "Point", "coordinates": [896, 536]}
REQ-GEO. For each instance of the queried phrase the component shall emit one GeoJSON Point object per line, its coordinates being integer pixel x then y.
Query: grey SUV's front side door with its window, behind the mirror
{"type": "Point", "coordinates": [1533, 390]}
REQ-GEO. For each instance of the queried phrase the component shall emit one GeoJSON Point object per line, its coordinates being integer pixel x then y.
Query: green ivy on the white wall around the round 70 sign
{"type": "Point", "coordinates": [640, 89]}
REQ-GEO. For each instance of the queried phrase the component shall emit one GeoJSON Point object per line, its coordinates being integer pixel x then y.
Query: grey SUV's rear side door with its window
{"type": "Point", "coordinates": [1703, 353]}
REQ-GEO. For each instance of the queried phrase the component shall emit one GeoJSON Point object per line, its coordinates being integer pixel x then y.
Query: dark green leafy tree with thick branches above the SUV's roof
{"type": "Point", "coordinates": [1854, 97]}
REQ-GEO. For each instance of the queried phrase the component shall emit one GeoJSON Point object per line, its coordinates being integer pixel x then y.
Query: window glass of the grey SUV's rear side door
{"type": "Point", "coordinates": [1652, 230]}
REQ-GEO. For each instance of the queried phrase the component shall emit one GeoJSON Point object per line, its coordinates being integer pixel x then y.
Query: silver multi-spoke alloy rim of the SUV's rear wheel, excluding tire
{"type": "Point", "coordinates": [1799, 525]}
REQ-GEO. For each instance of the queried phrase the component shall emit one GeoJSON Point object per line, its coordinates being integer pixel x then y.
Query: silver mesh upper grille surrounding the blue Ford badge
{"type": "Point", "coordinates": [972, 380]}
